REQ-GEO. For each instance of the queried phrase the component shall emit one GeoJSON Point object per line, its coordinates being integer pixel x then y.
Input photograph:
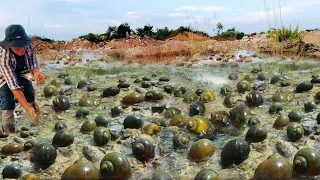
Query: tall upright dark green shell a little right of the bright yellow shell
{"type": "Point", "coordinates": [239, 115]}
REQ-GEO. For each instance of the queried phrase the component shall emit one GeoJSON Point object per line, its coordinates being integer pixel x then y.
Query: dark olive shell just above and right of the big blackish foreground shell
{"type": "Point", "coordinates": [256, 134]}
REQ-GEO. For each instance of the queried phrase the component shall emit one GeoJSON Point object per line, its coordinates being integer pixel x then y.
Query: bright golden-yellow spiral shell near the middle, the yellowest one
{"type": "Point", "coordinates": [198, 124]}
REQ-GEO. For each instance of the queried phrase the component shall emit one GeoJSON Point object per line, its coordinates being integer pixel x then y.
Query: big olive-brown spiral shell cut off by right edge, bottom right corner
{"type": "Point", "coordinates": [307, 162]}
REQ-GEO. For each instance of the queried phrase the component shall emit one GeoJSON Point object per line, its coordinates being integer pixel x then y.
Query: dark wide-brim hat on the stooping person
{"type": "Point", "coordinates": [15, 36]}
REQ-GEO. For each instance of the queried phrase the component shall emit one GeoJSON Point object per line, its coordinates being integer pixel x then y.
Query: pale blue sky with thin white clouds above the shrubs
{"type": "Point", "coordinates": [66, 19]}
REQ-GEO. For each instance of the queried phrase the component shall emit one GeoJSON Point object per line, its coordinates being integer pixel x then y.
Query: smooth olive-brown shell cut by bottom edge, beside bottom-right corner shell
{"type": "Point", "coordinates": [274, 168]}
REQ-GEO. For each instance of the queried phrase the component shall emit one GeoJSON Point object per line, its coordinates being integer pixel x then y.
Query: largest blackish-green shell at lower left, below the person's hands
{"type": "Point", "coordinates": [44, 154]}
